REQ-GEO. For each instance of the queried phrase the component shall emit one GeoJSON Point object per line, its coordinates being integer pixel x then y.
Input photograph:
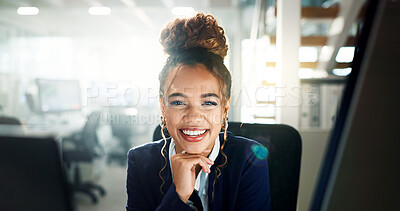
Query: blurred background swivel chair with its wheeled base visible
{"type": "Point", "coordinates": [86, 149]}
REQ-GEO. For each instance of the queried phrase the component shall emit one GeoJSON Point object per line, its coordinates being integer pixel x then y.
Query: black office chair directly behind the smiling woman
{"type": "Point", "coordinates": [284, 155]}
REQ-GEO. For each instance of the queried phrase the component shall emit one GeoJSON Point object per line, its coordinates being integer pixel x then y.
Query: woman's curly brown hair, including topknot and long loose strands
{"type": "Point", "coordinates": [191, 41]}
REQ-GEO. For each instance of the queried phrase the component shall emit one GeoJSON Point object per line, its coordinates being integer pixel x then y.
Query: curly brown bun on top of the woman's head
{"type": "Point", "coordinates": [198, 31]}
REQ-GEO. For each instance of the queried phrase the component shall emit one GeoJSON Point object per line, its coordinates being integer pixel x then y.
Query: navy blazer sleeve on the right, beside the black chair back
{"type": "Point", "coordinates": [254, 189]}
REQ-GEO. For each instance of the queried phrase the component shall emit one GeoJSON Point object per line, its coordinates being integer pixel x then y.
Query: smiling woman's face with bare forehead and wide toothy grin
{"type": "Point", "coordinates": [194, 108]}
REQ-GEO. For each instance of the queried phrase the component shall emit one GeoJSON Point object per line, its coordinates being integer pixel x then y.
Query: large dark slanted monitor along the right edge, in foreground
{"type": "Point", "coordinates": [361, 168]}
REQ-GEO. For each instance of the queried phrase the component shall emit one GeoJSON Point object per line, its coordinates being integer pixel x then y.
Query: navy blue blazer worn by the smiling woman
{"type": "Point", "coordinates": [243, 184]}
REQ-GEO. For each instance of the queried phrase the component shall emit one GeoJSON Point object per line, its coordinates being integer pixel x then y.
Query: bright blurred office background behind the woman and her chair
{"type": "Point", "coordinates": [62, 60]}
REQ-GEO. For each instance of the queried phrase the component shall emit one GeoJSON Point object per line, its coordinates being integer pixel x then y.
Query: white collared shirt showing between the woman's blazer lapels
{"type": "Point", "coordinates": [201, 184]}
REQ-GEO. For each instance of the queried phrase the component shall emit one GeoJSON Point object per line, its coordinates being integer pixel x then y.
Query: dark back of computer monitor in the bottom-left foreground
{"type": "Point", "coordinates": [31, 176]}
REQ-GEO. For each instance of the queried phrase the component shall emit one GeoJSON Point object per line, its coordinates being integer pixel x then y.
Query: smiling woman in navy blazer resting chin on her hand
{"type": "Point", "coordinates": [199, 167]}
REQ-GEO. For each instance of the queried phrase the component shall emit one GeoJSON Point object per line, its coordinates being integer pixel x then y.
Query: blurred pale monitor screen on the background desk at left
{"type": "Point", "coordinates": [59, 95]}
